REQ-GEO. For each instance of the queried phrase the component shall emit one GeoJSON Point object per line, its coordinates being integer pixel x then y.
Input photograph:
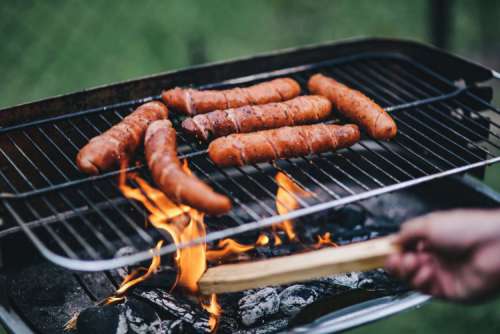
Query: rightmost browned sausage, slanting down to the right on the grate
{"type": "Point", "coordinates": [355, 106]}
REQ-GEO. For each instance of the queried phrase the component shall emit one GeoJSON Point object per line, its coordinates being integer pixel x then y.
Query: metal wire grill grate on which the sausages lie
{"type": "Point", "coordinates": [80, 222]}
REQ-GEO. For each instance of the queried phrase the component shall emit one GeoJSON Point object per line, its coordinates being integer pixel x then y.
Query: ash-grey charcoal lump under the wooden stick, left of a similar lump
{"type": "Point", "coordinates": [257, 306]}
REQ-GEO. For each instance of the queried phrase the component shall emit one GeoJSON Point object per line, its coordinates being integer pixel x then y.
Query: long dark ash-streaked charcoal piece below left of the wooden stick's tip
{"type": "Point", "coordinates": [176, 307]}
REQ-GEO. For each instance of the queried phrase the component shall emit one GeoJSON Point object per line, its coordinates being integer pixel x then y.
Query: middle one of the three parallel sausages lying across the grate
{"type": "Point", "coordinates": [218, 123]}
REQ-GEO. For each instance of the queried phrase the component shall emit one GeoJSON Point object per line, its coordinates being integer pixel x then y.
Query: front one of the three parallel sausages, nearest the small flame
{"type": "Point", "coordinates": [291, 141]}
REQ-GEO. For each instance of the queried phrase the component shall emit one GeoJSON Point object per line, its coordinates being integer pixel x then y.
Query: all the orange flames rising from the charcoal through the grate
{"type": "Point", "coordinates": [184, 224]}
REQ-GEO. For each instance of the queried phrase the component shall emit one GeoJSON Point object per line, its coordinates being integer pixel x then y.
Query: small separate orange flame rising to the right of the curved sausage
{"type": "Point", "coordinates": [286, 201]}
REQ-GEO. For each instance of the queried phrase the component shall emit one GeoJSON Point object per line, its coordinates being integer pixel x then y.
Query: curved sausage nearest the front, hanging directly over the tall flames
{"type": "Point", "coordinates": [161, 156]}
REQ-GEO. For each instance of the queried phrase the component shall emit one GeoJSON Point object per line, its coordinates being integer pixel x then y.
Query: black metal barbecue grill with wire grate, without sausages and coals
{"type": "Point", "coordinates": [446, 124]}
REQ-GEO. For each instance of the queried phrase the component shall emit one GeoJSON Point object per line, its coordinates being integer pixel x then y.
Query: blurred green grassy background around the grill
{"type": "Point", "coordinates": [55, 47]}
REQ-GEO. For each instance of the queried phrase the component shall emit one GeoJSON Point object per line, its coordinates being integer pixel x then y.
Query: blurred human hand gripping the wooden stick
{"type": "Point", "coordinates": [453, 255]}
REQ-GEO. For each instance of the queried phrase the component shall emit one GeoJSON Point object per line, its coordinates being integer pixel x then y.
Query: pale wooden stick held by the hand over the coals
{"type": "Point", "coordinates": [361, 256]}
